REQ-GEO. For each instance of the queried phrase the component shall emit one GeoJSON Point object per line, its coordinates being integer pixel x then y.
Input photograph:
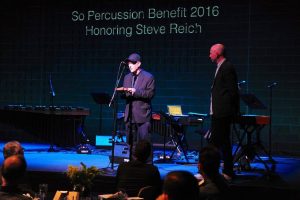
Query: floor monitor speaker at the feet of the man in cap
{"type": "Point", "coordinates": [121, 153]}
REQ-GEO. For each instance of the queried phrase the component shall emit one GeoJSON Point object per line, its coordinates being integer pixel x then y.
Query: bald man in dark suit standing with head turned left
{"type": "Point", "coordinates": [224, 106]}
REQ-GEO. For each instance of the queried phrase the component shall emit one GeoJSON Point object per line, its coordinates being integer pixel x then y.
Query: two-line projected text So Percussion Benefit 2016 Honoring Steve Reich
{"type": "Point", "coordinates": [151, 21]}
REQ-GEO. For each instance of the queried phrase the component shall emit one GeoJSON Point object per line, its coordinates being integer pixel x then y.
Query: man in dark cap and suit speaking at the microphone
{"type": "Point", "coordinates": [139, 87]}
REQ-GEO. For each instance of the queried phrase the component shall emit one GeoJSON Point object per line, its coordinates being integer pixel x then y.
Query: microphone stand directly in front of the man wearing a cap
{"type": "Point", "coordinates": [114, 100]}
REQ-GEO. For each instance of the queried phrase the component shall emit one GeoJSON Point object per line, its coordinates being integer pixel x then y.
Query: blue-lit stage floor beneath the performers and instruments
{"type": "Point", "coordinates": [39, 160]}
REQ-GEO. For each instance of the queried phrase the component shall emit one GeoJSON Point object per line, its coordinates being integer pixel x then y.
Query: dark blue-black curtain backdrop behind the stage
{"type": "Point", "coordinates": [39, 38]}
